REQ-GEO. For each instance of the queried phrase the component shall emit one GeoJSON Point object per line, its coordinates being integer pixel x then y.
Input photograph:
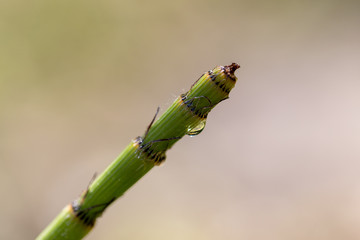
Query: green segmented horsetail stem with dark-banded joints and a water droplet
{"type": "Point", "coordinates": [186, 116]}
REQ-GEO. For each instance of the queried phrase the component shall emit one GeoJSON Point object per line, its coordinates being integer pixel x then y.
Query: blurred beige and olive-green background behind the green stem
{"type": "Point", "coordinates": [278, 160]}
